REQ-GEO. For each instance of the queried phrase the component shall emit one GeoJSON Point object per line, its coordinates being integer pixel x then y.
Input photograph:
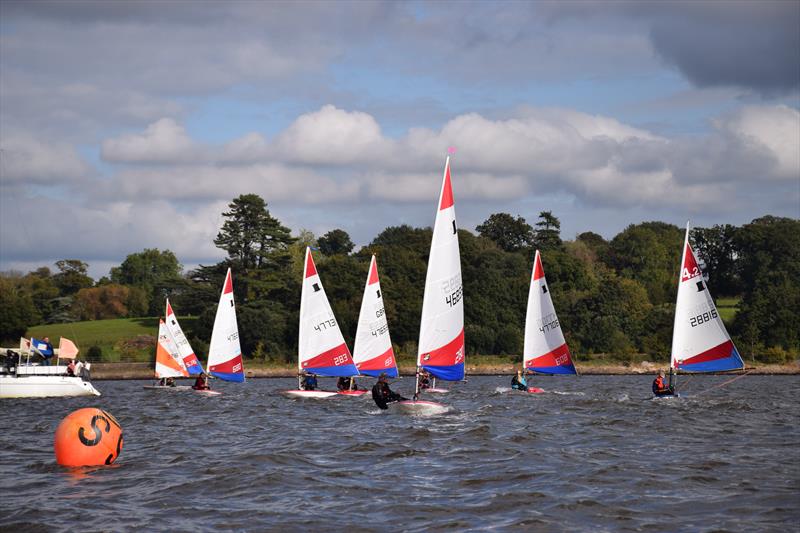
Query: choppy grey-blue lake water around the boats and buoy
{"type": "Point", "coordinates": [594, 452]}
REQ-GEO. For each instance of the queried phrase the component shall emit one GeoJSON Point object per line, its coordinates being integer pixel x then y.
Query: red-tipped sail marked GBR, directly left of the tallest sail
{"type": "Point", "coordinates": [372, 352]}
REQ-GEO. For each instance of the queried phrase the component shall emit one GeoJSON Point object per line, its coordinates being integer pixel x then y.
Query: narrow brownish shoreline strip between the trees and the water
{"type": "Point", "coordinates": [116, 371]}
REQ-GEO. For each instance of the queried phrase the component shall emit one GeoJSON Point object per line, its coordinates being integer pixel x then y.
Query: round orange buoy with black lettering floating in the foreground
{"type": "Point", "coordinates": [88, 437]}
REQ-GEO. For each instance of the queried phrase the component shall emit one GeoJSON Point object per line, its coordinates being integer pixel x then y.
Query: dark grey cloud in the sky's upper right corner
{"type": "Point", "coordinates": [713, 43]}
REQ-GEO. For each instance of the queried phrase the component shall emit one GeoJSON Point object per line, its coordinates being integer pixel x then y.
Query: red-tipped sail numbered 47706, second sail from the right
{"type": "Point", "coordinates": [545, 350]}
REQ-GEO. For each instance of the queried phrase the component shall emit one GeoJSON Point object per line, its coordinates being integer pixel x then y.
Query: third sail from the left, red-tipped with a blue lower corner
{"type": "Point", "coordinates": [225, 352]}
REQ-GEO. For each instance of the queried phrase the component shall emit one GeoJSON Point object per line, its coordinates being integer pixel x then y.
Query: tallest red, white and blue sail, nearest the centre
{"type": "Point", "coordinates": [441, 335]}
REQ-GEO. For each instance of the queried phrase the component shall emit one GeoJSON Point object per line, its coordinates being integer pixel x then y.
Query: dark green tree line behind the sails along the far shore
{"type": "Point", "coordinates": [614, 297]}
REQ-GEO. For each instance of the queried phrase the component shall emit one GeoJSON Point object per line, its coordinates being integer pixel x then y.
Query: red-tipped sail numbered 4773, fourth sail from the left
{"type": "Point", "coordinates": [321, 346]}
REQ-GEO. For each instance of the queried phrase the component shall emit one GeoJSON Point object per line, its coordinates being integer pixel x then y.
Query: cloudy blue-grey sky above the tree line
{"type": "Point", "coordinates": [131, 125]}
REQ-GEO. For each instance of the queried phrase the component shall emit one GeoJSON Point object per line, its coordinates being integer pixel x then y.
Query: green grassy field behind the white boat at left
{"type": "Point", "coordinates": [121, 339]}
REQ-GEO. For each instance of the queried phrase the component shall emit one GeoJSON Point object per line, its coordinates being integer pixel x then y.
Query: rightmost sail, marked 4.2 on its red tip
{"type": "Point", "coordinates": [700, 342]}
